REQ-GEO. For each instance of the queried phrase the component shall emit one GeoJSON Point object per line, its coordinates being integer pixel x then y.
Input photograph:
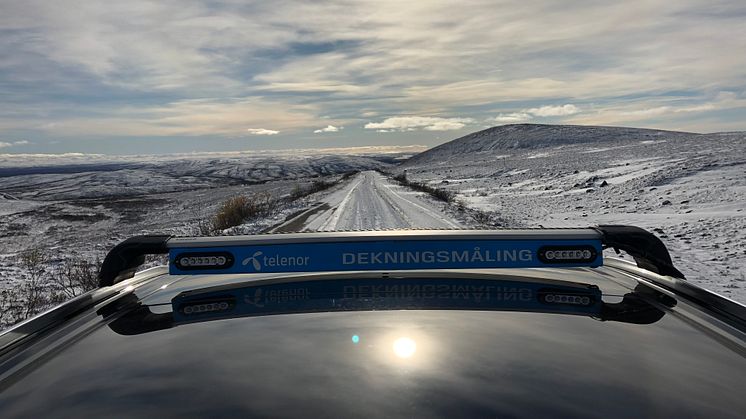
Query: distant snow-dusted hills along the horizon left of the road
{"type": "Point", "coordinates": [134, 176]}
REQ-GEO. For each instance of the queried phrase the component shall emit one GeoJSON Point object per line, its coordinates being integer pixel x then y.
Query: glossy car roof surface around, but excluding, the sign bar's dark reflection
{"type": "Point", "coordinates": [466, 362]}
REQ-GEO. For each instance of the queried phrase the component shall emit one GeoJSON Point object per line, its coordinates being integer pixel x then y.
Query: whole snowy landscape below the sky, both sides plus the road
{"type": "Point", "coordinates": [689, 189]}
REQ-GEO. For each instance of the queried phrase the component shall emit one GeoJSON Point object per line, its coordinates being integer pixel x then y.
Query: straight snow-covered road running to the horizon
{"type": "Point", "coordinates": [370, 201]}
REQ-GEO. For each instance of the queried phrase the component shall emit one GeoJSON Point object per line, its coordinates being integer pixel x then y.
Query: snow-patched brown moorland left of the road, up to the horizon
{"type": "Point", "coordinates": [78, 208]}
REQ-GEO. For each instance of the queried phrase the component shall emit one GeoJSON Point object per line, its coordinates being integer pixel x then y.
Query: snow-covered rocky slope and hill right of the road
{"type": "Point", "coordinates": [689, 189]}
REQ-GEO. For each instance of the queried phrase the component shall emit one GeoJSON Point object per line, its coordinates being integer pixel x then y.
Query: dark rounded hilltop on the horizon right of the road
{"type": "Point", "coordinates": [529, 136]}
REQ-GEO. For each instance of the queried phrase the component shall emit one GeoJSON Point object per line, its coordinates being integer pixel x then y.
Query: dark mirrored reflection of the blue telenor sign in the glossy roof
{"type": "Point", "coordinates": [385, 294]}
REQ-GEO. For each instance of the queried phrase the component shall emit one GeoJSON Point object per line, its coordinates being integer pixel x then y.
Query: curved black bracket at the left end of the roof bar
{"type": "Point", "coordinates": [123, 260]}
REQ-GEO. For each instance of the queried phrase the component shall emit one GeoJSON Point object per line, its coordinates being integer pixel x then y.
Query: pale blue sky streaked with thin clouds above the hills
{"type": "Point", "coordinates": [138, 77]}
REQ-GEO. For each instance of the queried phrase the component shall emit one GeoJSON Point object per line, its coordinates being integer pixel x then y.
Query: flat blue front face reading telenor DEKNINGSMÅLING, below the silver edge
{"type": "Point", "coordinates": [385, 255]}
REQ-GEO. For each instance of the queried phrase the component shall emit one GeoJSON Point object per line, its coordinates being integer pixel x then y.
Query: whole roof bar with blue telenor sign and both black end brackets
{"type": "Point", "coordinates": [647, 250]}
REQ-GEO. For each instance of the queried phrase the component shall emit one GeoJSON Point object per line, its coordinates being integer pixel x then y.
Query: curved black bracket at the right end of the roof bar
{"type": "Point", "coordinates": [648, 250]}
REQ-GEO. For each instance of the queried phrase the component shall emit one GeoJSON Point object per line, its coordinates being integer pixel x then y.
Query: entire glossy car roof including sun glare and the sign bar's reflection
{"type": "Point", "coordinates": [609, 339]}
